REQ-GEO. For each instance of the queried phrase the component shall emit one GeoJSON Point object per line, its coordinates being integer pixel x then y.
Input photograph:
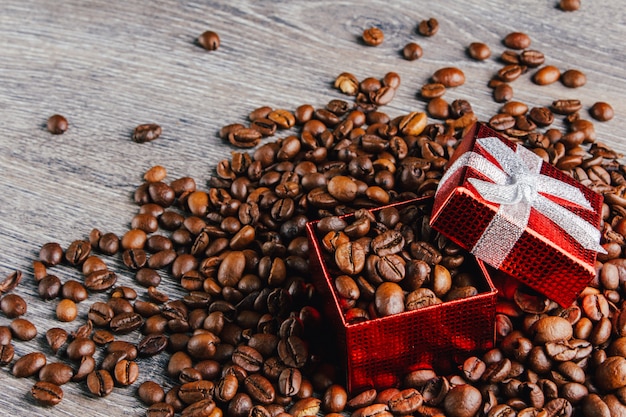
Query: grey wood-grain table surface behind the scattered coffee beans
{"type": "Point", "coordinates": [109, 65]}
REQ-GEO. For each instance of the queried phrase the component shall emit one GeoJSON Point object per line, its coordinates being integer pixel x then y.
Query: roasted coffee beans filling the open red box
{"type": "Point", "coordinates": [389, 261]}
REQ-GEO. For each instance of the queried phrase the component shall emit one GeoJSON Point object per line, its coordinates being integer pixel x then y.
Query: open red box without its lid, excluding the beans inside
{"type": "Point", "coordinates": [379, 352]}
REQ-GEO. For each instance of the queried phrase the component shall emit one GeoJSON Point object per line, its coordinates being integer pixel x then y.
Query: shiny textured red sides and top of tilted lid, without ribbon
{"type": "Point", "coordinates": [545, 257]}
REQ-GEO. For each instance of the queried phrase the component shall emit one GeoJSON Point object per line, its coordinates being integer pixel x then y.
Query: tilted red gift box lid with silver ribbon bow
{"type": "Point", "coordinates": [520, 215]}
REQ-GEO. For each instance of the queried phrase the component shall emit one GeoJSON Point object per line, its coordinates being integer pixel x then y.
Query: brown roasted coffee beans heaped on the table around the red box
{"type": "Point", "coordinates": [246, 336]}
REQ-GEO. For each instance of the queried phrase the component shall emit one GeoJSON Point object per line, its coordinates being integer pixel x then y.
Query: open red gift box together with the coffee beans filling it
{"type": "Point", "coordinates": [401, 296]}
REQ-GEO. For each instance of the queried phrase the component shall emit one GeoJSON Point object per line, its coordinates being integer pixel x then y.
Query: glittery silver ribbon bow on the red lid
{"type": "Point", "coordinates": [517, 187]}
